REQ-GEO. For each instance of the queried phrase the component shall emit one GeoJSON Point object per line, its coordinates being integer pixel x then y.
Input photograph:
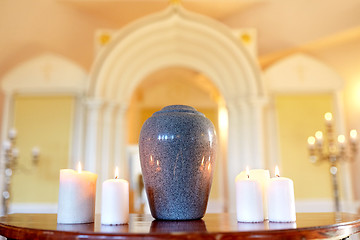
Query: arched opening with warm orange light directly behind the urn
{"type": "Point", "coordinates": [171, 86]}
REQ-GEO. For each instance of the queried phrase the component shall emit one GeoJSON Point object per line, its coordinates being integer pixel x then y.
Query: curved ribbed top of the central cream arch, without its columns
{"type": "Point", "coordinates": [174, 37]}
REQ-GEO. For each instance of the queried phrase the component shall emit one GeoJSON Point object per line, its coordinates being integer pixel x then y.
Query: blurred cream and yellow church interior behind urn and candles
{"type": "Point", "coordinates": [80, 77]}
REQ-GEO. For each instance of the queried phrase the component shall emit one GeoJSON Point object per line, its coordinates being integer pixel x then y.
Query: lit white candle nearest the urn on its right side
{"type": "Point", "coordinates": [249, 202]}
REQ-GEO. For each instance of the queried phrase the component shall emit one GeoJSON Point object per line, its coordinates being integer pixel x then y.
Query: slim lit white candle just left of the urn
{"type": "Point", "coordinates": [115, 201]}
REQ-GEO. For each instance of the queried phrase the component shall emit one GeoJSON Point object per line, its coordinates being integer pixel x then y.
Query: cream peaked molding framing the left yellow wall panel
{"type": "Point", "coordinates": [47, 74]}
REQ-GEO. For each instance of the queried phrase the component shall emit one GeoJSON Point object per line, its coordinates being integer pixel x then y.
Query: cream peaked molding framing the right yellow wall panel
{"type": "Point", "coordinates": [303, 74]}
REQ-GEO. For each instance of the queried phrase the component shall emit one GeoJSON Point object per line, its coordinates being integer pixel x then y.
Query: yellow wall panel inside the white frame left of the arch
{"type": "Point", "coordinates": [44, 122]}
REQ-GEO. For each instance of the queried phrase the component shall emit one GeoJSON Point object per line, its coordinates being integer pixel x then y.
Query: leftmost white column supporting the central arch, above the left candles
{"type": "Point", "coordinates": [93, 135]}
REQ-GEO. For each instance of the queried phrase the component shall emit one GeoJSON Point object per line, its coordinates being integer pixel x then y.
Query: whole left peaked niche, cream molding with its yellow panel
{"type": "Point", "coordinates": [43, 97]}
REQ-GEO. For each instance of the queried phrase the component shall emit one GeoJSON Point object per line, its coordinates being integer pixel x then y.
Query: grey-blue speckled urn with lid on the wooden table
{"type": "Point", "coordinates": [177, 153]}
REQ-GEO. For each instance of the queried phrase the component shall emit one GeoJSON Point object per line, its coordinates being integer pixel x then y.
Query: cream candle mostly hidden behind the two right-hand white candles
{"type": "Point", "coordinates": [263, 177]}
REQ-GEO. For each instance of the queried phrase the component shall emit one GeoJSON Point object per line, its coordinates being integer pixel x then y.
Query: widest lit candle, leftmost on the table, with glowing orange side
{"type": "Point", "coordinates": [77, 191]}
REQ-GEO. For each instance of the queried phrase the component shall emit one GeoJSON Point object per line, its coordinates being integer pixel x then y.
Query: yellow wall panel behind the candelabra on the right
{"type": "Point", "coordinates": [300, 116]}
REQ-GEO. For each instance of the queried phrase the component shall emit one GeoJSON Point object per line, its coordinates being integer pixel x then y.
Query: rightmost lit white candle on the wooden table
{"type": "Point", "coordinates": [281, 199]}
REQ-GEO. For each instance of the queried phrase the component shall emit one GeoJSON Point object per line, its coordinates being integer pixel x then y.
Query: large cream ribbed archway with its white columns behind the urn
{"type": "Point", "coordinates": [174, 37]}
